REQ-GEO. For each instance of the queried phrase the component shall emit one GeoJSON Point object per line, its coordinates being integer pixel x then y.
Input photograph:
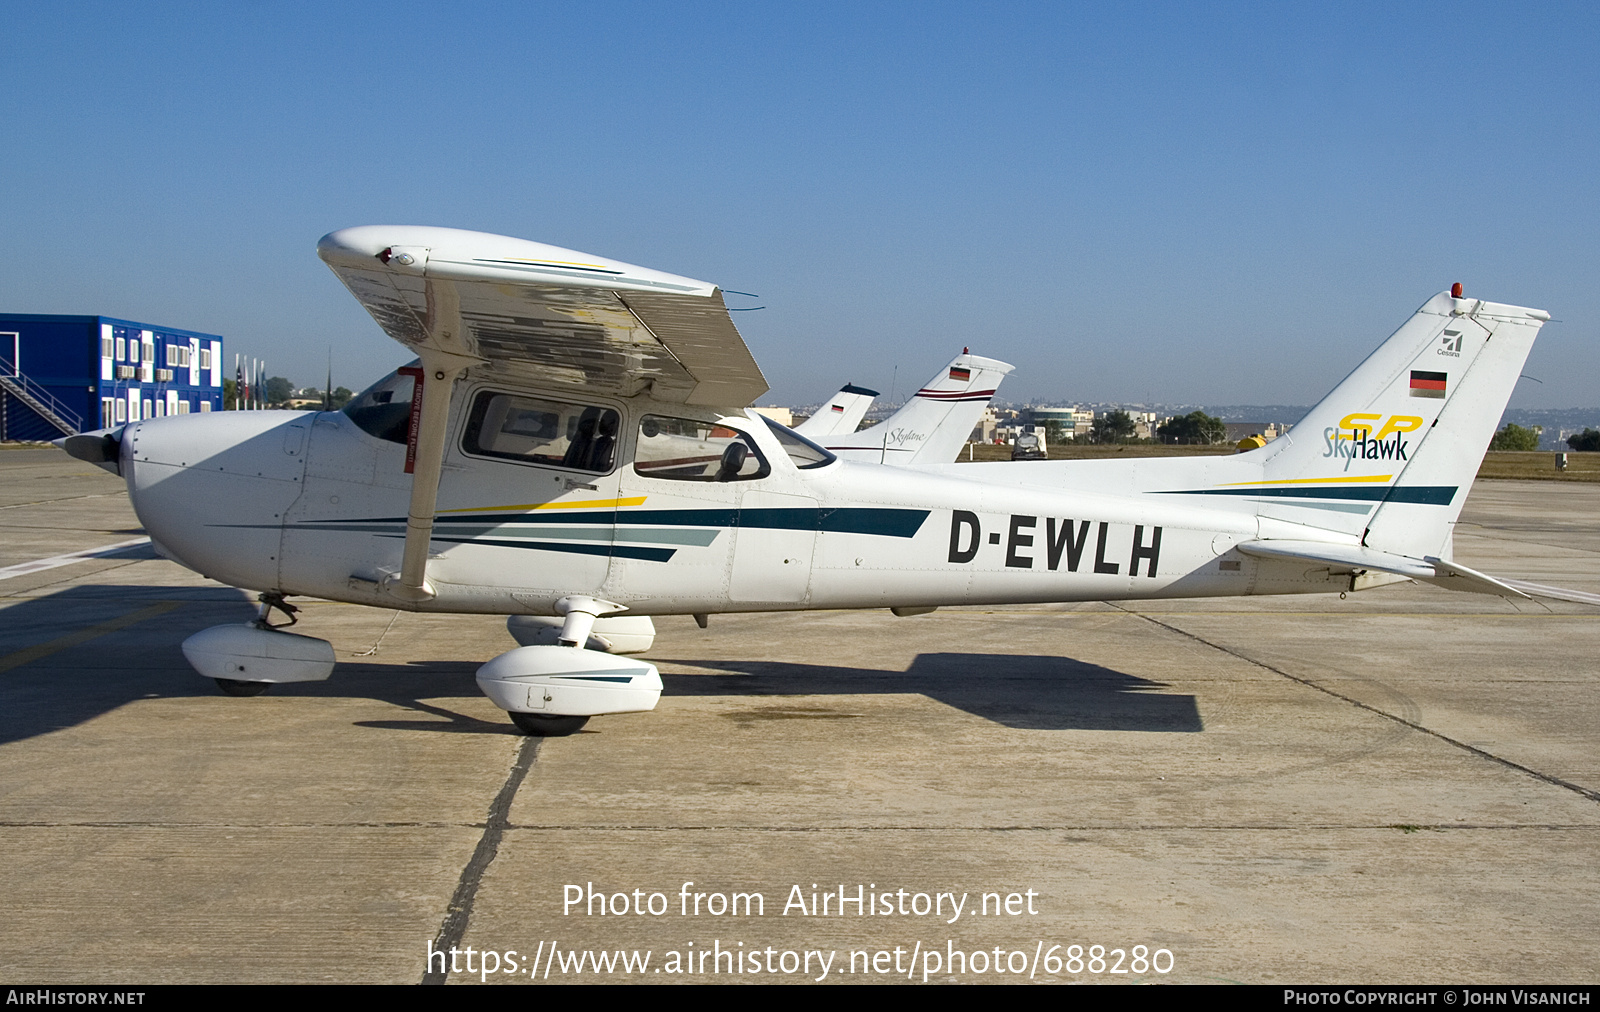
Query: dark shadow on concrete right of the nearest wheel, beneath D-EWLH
{"type": "Point", "coordinates": [1028, 693]}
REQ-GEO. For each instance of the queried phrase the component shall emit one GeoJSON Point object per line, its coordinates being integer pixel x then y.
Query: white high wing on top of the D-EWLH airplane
{"type": "Point", "coordinates": [548, 315]}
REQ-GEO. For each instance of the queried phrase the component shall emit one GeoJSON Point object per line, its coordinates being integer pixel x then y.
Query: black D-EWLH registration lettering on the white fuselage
{"type": "Point", "coordinates": [1055, 544]}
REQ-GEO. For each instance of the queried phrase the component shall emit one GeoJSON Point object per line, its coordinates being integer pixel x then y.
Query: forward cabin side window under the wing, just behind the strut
{"type": "Point", "coordinates": [538, 432]}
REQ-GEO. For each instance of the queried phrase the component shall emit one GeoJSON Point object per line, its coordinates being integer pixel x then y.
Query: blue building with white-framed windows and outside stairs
{"type": "Point", "coordinates": [70, 374]}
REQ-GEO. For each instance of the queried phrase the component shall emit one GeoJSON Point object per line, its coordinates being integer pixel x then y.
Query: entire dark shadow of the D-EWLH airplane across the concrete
{"type": "Point", "coordinates": [90, 677]}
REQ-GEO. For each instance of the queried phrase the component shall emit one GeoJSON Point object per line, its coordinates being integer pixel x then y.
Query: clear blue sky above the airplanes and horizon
{"type": "Point", "coordinates": [1226, 204]}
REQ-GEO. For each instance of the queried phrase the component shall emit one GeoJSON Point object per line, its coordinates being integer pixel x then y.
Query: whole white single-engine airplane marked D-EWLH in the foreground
{"type": "Point", "coordinates": [574, 449]}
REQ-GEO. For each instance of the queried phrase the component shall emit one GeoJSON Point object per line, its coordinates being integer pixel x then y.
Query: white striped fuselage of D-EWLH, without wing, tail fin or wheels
{"type": "Point", "coordinates": [529, 513]}
